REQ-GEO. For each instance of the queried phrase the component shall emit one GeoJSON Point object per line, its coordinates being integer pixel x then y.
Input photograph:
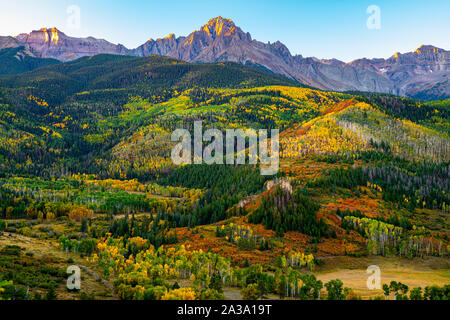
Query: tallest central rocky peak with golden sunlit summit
{"type": "Point", "coordinates": [221, 40]}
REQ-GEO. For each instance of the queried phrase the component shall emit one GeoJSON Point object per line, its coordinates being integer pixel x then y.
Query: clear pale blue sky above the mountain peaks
{"type": "Point", "coordinates": [321, 28]}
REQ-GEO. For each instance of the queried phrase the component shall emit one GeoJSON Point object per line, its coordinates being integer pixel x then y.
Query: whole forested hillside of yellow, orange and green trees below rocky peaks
{"type": "Point", "coordinates": [86, 173]}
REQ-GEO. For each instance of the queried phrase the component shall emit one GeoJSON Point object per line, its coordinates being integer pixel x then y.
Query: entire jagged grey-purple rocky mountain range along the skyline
{"type": "Point", "coordinates": [420, 74]}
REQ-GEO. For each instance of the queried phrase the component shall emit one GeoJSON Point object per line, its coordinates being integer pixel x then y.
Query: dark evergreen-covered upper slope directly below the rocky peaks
{"type": "Point", "coordinates": [124, 72]}
